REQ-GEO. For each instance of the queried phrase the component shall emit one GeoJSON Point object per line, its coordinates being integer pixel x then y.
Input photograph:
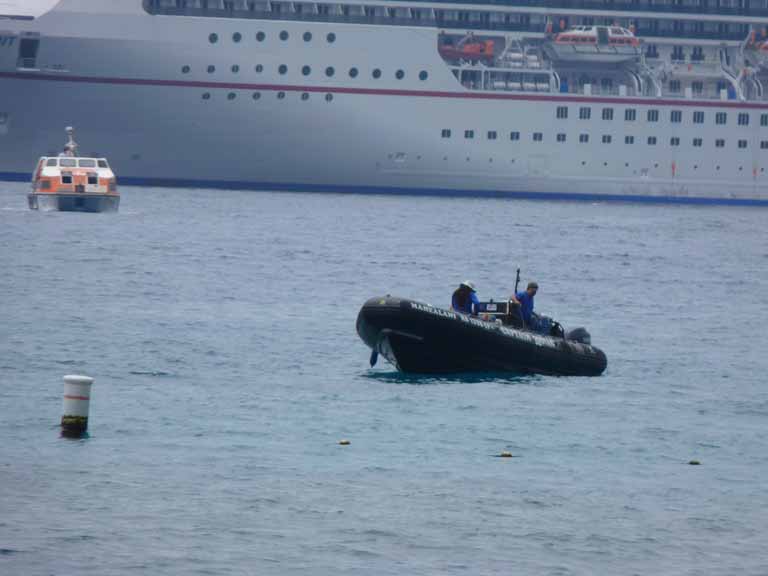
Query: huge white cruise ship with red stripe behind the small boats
{"type": "Point", "coordinates": [629, 100]}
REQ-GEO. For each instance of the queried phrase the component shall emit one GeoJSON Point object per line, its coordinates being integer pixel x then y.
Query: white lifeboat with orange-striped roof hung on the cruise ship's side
{"type": "Point", "coordinates": [594, 44]}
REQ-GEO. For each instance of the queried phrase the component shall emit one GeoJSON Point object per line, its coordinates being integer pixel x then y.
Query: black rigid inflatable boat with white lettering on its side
{"type": "Point", "coordinates": [420, 338]}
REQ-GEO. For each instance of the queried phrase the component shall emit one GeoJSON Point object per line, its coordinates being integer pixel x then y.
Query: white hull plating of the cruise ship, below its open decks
{"type": "Point", "coordinates": [117, 75]}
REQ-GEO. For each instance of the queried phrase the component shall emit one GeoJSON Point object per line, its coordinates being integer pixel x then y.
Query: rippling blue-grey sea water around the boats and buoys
{"type": "Point", "coordinates": [220, 330]}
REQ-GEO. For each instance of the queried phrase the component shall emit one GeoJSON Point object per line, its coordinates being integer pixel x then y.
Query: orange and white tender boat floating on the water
{"type": "Point", "coordinates": [71, 183]}
